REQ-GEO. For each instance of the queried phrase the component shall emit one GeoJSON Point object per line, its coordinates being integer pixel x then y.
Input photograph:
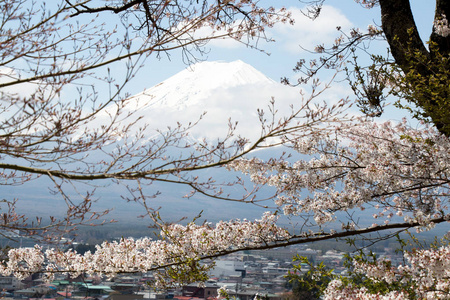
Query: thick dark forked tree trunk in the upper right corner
{"type": "Point", "coordinates": [405, 44]}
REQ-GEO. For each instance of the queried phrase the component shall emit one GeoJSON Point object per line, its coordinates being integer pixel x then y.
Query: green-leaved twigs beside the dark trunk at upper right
{"type": "Point", "coordinates": [422, 88]}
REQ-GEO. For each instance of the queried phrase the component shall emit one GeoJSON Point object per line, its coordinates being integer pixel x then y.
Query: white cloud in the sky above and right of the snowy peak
{"type": "Point", "coordinates": [309, 33]}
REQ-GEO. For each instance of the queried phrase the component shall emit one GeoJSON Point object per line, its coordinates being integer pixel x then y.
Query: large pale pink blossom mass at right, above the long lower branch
{"type": "Point", "coordinates": [391, 168]}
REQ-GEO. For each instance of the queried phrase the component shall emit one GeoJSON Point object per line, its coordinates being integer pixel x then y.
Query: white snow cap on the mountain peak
{"type": "Point", "coordinates": [223, 90]}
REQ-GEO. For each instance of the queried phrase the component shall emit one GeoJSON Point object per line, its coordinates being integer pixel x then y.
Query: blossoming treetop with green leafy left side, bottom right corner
{"type": "Point", "coordinates": [422, 275]}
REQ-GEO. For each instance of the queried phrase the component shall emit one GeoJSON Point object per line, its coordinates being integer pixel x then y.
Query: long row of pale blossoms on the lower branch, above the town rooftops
{"type": "Point", "coordinates": [178, 244]}
